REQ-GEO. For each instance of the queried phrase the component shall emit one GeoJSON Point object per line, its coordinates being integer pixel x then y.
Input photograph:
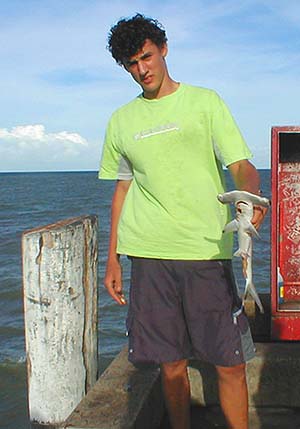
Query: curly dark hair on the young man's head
{"type": "Point", "coordinates": [128, 36]}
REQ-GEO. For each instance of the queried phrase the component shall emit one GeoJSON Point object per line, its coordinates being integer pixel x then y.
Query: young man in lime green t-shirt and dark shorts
{"type": "Point", "coordinates": [166, 149]}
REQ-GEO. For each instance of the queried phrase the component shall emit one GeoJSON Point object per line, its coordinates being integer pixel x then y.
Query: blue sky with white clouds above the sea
{"type": "Point", "coordinates": [59, 84]}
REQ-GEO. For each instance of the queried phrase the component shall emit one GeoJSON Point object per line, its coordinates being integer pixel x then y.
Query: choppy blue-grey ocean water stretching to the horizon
{"type": "Point", "coordinates": [29, 200]}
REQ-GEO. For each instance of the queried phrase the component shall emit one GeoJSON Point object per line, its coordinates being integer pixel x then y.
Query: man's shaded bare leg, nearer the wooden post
{"type": "Point", "coordinates": [176, 389]}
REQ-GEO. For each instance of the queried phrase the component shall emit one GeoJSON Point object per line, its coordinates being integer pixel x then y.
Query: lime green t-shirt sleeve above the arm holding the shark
{"type": "Point", "coordinates": [229, 144]}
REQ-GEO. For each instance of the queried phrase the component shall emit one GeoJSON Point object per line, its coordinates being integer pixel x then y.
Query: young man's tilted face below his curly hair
{"type": "Point", "coordinates": [148, 68]}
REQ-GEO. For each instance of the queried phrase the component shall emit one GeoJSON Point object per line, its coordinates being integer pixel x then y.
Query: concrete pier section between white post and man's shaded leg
{"type": "Point", "coordinates": [123, 397]}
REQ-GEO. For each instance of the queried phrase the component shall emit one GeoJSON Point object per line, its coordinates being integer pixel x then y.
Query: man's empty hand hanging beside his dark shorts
{"type": "Point", "coordinates": [113, 281]}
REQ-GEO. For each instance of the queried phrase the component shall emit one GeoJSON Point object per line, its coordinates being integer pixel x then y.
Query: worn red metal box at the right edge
{"type": "Point", "coordinates": [285, 236]}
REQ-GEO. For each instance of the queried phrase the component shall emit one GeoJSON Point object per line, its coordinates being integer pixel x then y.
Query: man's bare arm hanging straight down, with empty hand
{"type": "Point", "coordinates": [113, 275]}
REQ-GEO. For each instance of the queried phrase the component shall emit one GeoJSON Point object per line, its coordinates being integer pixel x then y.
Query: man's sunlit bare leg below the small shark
{"type": "Point", "coordinates": [233, 395]}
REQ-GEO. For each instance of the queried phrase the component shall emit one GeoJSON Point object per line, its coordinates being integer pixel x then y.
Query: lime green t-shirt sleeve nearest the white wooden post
{"type": "Point", "coordinates": [114, 164]}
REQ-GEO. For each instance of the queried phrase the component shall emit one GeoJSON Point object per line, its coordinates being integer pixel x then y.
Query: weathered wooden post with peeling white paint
{"type": "Point", "coordinates": [60, 306]}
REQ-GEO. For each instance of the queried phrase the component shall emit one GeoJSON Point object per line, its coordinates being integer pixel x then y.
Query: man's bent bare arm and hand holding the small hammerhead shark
{"type": "Point", "coordinates": [246, 178]}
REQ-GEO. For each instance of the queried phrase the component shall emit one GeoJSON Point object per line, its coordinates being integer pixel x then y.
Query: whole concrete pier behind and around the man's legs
{"type": "Point", "coordinates": [126, 397]}
